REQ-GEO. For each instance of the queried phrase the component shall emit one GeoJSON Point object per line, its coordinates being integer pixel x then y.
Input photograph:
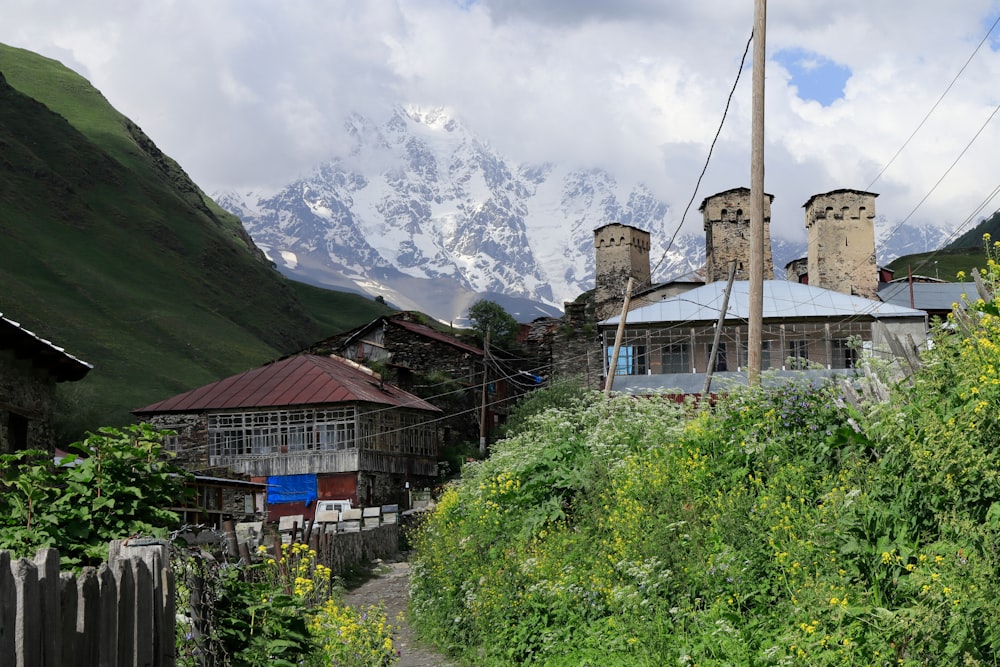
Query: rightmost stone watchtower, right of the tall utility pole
{"type": "Point", "coordinates": [841, 256]}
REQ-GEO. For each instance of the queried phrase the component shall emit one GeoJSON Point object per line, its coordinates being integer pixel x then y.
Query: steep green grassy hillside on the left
{"type": "Point", "coordinates": [109, 250]}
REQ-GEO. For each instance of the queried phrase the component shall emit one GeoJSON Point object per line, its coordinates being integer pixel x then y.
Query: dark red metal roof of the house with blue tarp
{"type": "Point", "coordinates": [299, 380]}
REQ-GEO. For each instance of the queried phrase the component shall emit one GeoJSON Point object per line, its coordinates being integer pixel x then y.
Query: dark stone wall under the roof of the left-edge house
{"type": "Point", "coordinates": [27, 407]}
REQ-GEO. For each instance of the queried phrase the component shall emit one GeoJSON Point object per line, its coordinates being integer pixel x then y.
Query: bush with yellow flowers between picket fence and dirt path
{"type": "Point", "coordinates": [282, 611]}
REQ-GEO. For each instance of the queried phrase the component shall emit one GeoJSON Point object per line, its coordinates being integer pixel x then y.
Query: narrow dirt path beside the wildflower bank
{"type": "Point", "coordinates": [390, 585]}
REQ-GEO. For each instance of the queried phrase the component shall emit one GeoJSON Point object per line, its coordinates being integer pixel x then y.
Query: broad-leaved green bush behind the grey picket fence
{"type": "Point", "coordinates": [116, 484]}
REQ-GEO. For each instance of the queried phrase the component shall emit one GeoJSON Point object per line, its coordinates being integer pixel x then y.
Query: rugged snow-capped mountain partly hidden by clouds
{"type": "Point", "coordinates": [427, 215]}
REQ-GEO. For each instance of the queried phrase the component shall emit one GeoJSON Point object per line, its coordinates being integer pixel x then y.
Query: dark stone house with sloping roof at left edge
{"type": "Point", "coordinates": [30, 369]}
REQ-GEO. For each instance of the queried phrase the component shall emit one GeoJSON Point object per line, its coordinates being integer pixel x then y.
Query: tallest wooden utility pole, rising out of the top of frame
{"type": "Point", "coordinates": [756, 310]}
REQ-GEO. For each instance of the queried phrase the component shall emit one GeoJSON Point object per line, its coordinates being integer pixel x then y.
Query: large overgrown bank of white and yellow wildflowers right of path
{"type": "Point", "coordinates": [782, 526]}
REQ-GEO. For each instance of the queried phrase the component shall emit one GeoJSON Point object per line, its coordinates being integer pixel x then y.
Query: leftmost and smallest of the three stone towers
{"type": "Point", "coordinates": [622, 251]}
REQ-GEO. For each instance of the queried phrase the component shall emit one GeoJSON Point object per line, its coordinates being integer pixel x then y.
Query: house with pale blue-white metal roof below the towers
{"type": "Point", "coordinates": [806, 330]}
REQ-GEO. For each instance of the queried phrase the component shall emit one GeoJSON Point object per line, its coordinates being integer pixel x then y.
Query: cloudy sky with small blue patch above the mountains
{"type": "Point", "coordinates": [250, 94]}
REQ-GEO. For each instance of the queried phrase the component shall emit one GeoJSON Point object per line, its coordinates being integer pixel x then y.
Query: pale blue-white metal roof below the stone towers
{"type": "Point", "coordinates": [783, 299]}
